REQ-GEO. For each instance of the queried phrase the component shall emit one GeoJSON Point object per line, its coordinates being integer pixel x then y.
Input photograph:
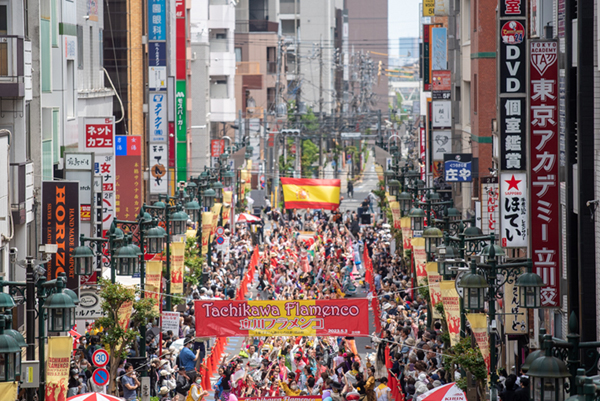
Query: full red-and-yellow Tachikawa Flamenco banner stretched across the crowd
{"type": "Point", "coordinates": [330, 317]}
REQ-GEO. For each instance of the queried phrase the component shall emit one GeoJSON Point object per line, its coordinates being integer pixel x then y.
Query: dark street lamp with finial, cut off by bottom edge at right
{"type": "Point", "coordinates": [548, 375]}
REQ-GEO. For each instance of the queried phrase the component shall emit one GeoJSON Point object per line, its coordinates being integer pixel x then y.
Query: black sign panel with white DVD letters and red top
{"type": "Point", "coordinates": [512, 57]}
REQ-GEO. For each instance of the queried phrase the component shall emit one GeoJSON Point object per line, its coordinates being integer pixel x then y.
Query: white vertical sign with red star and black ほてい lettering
{"type": "Point", "coordinates": [514, 216]}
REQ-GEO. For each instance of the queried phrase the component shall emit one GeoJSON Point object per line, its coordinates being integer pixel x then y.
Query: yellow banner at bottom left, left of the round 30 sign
{"type": "Point", "coordinates": [57, 368]}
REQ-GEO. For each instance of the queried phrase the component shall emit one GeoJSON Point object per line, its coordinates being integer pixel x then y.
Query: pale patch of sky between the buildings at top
{"type": "Point", "coordinates": [403, 21]}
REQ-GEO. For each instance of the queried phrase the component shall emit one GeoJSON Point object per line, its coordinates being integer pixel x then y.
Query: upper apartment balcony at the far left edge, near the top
{"type": "Point", "coordinates": [15, 66]}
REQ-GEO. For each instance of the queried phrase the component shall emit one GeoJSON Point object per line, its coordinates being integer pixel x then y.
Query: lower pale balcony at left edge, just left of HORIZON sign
{"type": "Point", "coordinates": [21, 176]}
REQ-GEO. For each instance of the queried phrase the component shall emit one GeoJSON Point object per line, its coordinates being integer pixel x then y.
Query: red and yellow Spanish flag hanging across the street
{"type": "Point", "coordinates": [307, 193]}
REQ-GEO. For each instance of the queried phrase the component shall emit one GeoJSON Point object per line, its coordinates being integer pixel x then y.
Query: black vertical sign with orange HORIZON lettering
{"type": "Point", "coordinates": [60, 226]}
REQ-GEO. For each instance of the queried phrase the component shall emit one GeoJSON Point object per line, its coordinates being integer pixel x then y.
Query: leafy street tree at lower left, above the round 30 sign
{"type": "Point", "coordinates": [119, 340]}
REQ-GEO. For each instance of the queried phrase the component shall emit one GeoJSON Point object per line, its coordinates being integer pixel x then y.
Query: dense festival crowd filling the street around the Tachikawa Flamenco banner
{"type": "Point", "coordinates": [312, 255]}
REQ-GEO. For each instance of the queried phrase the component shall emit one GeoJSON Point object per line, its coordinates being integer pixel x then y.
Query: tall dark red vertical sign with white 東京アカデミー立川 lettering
{"type": "Point", "coordinates": [545, 218]}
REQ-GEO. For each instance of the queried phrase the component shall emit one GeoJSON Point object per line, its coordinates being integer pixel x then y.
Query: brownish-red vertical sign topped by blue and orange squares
{"type": "Point", "coordinates": [129, 192]}
